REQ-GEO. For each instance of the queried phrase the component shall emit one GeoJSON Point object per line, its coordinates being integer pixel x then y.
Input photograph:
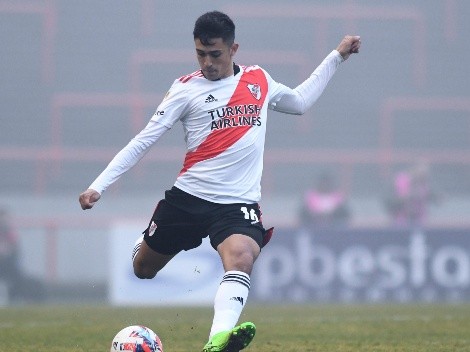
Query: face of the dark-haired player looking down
{"type": "Point", "coordinates": [216, 59]}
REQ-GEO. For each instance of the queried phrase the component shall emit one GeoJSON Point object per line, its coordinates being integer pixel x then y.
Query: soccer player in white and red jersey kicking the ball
{"type": "Point", "coordinates": [223, 109]}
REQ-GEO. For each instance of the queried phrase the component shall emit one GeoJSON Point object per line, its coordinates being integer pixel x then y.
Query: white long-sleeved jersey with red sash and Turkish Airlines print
{"type": "Point", "coordinates": [224, 124]}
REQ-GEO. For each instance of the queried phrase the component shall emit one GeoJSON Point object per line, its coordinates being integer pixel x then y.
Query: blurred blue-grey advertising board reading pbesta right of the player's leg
{"type": "Point", "coordinates": [368, 265]}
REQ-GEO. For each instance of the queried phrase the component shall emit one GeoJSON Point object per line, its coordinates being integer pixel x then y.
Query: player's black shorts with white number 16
{"type": "Point", "coordinates": [181, 221]}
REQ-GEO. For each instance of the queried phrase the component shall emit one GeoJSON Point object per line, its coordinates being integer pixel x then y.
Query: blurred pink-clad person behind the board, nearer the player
{"type": "Point", "coordinates": [324, 205]}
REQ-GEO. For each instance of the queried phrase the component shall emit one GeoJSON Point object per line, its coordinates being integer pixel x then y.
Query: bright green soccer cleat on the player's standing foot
{"type": "Point", "coordinates": [231, 341]}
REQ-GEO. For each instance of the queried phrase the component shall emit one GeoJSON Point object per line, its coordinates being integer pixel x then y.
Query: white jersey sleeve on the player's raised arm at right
{"type": "Point", "coordinates": [298, 100]}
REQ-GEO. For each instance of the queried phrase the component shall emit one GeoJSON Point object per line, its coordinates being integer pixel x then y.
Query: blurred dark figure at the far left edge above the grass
{"type": "Point", "coordinates": [20, 288]}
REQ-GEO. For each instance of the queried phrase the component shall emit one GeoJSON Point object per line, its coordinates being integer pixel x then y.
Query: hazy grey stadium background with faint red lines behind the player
{"type": "Point", "coordinates": [80, 78]}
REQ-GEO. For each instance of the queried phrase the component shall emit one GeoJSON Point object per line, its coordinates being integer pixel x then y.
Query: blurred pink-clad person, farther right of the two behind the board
{"type": "Point", "coordinates": [411, 197]}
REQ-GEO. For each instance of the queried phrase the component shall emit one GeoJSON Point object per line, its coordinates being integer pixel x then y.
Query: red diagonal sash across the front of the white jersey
{"type": "Point", "coordinates": [220, 140]}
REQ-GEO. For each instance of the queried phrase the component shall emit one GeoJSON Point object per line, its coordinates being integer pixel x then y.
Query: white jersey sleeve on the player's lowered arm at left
{"type": "Point", "coordinates": [129, 155]}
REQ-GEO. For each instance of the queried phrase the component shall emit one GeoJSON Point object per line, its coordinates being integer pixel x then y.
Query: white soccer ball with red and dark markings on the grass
{"type": "Point", "coordinates": [136, 338]}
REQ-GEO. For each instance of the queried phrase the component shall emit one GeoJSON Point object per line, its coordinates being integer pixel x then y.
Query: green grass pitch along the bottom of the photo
{"type": "Point", "coordinates": [290, 328]}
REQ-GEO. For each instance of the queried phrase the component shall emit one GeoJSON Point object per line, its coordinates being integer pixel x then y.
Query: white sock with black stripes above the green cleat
{"type": "Point", "coordinates": [229, 301]}
